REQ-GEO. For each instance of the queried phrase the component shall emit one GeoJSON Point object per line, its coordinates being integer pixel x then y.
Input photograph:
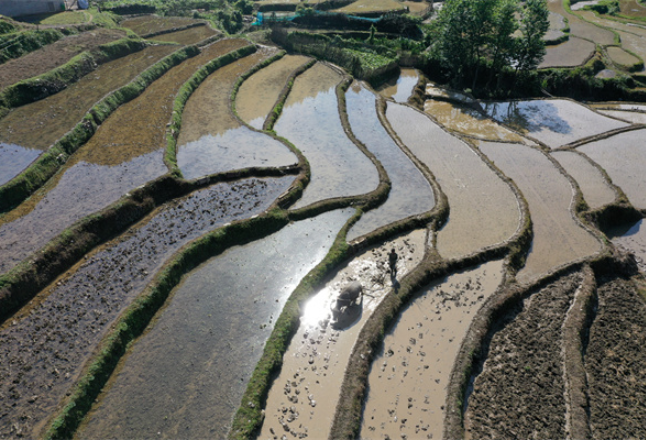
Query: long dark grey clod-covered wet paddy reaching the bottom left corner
{"type": "Point", "coordinates": [72, 316]}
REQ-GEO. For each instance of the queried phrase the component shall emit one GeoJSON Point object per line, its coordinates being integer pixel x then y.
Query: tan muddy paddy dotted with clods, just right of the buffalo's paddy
{"type": "Point", "coordinates": [407, 385]}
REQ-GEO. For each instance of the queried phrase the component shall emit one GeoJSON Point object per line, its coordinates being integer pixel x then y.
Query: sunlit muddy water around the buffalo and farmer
{"type": "Point", "coordinates": [303, 398]}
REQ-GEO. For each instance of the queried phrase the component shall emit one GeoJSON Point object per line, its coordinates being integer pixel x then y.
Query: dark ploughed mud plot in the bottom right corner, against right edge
{"type": "Point", "coordinates": [614, 363]}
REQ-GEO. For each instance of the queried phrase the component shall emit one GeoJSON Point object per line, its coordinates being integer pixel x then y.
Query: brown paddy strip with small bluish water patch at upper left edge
{"type": "Point", "coordinates": [28, 130]}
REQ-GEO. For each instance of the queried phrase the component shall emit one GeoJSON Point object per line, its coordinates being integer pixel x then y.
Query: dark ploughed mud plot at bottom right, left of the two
{"type": "Point", "coordinates": [520, 391]}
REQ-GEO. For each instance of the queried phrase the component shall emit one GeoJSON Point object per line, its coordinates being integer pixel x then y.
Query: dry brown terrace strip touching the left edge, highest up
{"type": "Point", "coordinates": [54, 55]}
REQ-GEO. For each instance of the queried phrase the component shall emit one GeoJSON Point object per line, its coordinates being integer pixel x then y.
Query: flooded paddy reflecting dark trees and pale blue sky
{"type": "Point", "coordinates": [554, 122]}
